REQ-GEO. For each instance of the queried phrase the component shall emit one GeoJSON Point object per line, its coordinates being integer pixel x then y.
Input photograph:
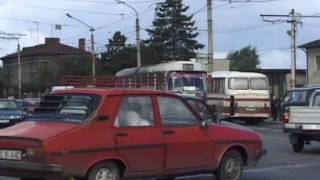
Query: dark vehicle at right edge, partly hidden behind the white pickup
{"type": "Point", "coordinates": [296, 97]}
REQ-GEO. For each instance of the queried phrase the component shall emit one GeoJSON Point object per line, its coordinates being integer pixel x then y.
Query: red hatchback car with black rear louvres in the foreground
{"type": "Point", "coordinates": [115, 134]}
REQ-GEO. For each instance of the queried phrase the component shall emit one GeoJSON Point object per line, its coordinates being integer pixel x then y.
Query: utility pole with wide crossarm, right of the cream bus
{"type": "Point", "coordinates": [294, 19]}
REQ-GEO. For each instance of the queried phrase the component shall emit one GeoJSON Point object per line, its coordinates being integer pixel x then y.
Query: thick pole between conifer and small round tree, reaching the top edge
{"type": "Point", "coordinates": [210, 36]}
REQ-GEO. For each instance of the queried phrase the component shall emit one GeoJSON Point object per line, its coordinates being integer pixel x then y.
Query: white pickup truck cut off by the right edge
{"type": "Point", "coordinates": [304, 123]}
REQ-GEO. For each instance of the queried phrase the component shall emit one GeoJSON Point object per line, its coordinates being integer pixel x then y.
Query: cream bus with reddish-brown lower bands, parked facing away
{"type": "Point", "coordinates": [239, 94]}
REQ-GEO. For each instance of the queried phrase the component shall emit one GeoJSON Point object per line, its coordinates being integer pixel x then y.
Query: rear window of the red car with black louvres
{"type": "Point", "coordinates": [66, 107]}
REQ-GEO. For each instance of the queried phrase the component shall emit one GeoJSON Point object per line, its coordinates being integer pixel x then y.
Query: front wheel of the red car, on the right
{"type": "Point", "coordinates": [231, 166]}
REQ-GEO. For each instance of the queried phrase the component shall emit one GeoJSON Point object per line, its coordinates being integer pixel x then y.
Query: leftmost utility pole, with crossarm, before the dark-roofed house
{"type": "Point", "coordinates": [13, 36]}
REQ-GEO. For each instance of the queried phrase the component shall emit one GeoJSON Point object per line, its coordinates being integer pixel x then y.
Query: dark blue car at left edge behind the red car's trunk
{"type": "Point", "coordinates": [10, 112]}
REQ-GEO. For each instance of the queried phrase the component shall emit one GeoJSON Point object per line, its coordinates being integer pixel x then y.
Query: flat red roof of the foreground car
{"type": "Point", "coordinates": [110, 91]}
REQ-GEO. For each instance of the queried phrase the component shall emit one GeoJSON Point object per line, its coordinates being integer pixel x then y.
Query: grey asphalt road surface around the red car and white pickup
{"type": "Point", "coordinates": [281, 163]}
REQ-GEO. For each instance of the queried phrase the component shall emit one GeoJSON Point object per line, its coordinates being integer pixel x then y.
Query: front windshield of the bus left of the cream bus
{"type": "Point", "coordinates": [193, 82]}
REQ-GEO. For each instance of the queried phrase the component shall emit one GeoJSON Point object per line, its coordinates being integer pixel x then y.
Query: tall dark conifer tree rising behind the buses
{"type": "Point", "coordinates": [172, 36]}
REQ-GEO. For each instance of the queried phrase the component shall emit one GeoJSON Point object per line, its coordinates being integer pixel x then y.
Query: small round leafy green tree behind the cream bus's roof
{"type": "Point", "coordinates": [245, 59]}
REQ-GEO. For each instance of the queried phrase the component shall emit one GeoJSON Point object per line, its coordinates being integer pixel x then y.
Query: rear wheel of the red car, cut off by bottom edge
{"type": "Point", "coordinates": [106, 170]}
